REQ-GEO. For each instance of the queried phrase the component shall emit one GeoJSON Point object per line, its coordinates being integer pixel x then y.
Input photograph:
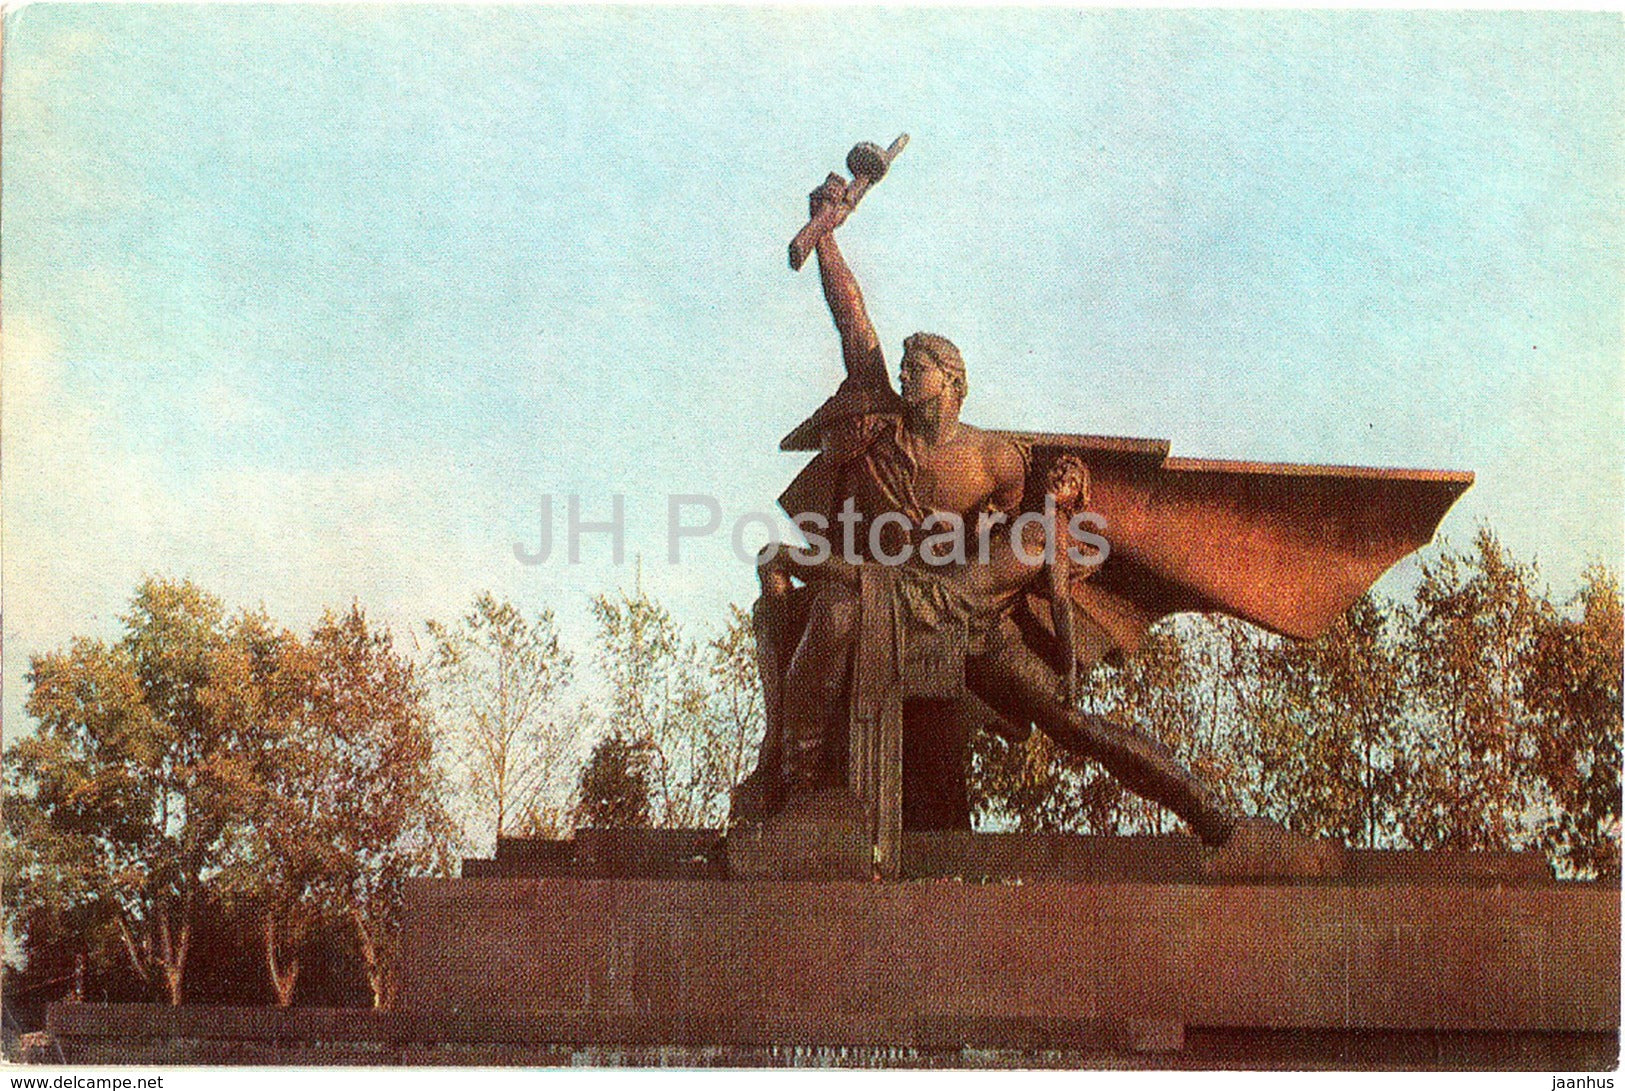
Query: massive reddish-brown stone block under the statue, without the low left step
{"type": "Point", "coordinates": [1028, 944]}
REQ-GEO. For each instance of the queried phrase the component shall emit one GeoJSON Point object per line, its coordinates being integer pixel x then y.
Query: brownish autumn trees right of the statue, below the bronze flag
{"type": "Point", "coordinates": [1475, 716]}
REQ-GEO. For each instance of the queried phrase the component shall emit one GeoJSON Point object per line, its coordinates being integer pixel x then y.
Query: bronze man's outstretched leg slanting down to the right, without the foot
{"type": "Point", "coordinates": [1023, 687]}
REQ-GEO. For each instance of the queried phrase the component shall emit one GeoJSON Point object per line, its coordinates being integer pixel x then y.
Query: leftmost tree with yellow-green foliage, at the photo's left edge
{"type": "Point", "coordinates": [124, 802]}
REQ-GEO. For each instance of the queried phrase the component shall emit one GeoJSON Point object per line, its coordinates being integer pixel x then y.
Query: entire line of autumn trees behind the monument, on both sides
{"type": "Point", "coordinates": [220, 776]}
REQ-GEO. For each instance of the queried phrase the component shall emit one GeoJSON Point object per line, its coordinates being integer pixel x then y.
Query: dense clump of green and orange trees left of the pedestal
{"type": "Point", "coordinates": [210, 762]}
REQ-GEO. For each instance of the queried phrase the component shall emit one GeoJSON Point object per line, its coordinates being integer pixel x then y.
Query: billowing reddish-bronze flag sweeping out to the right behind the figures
{"type": "Point", "coordinates": [1285, 547]}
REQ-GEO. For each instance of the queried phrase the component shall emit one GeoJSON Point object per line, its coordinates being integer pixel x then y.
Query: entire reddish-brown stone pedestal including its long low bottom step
{"type": "Point", "coordinates": [636, 947]}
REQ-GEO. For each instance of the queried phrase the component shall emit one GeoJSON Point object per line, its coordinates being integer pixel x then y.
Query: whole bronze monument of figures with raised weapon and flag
{"type": "Point", "coordinates": [877, 677]}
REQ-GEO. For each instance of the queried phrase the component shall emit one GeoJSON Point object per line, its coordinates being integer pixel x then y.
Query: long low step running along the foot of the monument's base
{"type": "Point", "coordinates": [158, 1035]}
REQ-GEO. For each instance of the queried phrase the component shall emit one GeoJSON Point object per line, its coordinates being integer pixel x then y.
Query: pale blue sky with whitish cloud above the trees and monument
{"type": "Point", "coordinates": [311, 303]}
